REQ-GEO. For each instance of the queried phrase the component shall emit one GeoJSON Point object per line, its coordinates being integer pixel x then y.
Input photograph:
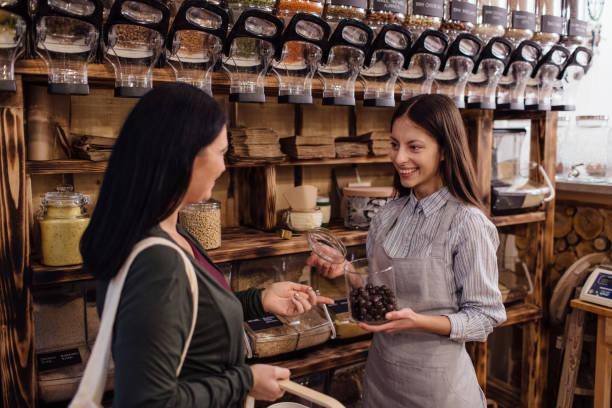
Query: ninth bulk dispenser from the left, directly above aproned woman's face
{"type": "Point", "coordinates": [423, 63]}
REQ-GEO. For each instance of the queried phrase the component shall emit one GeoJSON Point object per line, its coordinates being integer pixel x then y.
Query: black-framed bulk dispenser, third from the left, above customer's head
{"type": "Point", "coordinates": [133, 41]}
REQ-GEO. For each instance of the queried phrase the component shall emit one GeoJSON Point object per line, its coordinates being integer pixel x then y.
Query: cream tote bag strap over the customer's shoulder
{"type": "Point", "coordinates": [91, 388]}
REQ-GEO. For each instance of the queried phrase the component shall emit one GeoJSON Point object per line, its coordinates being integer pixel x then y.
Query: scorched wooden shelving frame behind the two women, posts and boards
{"type": "Point", "coordinates": [241, 243]}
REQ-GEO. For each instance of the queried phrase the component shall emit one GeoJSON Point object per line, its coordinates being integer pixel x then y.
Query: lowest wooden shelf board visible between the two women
{"type": "Point", "coordinates": [327, 357]}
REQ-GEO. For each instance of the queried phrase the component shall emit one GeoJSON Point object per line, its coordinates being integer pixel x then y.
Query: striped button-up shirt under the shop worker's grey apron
{"type": "Point", "coordinates": [471, 243]}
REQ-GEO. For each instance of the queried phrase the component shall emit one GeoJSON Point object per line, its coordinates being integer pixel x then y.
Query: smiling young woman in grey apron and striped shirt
{"type": "Point", "coordinates": [442, 248]}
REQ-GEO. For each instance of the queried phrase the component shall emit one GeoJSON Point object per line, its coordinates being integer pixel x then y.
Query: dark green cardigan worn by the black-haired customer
{"type": "Point", "coordinates": [153, 322]}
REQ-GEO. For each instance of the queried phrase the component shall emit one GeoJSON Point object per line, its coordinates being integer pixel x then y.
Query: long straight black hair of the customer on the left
{"type": "Point", "coordinates": [148, 172]}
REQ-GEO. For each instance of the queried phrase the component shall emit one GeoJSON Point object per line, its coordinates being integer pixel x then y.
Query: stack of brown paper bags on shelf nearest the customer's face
{"type": "Point", "coordinates": [254, 145]}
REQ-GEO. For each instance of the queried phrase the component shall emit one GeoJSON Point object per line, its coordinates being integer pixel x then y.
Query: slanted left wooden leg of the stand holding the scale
{"type": "Point", "coordinates": [571, 359]}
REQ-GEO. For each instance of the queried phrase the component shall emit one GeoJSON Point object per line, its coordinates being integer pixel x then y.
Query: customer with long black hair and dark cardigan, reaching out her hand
{"type": "Point", "coordinates": [169, 154]}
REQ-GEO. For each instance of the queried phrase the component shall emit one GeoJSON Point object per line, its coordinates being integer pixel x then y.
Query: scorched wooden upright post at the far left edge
{"type": "Point", "coordinates": [17, 374]}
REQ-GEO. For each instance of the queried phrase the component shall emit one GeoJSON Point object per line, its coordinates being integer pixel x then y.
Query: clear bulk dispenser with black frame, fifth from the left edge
{"type": "Point", "coordinates": [249, 52]}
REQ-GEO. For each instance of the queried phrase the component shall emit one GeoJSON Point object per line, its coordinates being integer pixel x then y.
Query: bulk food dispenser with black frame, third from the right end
{"type": "Point", "coordinates": [511, 89]}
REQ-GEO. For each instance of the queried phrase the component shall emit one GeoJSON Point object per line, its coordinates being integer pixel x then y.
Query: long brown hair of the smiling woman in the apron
{"type": "Point", "coordinates": [438, 115]}
